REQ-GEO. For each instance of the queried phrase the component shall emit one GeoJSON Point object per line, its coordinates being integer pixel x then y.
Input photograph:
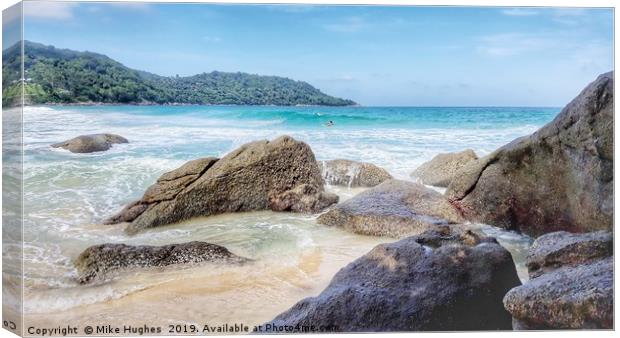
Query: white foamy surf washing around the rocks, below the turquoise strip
{"type": "Point", "coordinates": [66, 194]}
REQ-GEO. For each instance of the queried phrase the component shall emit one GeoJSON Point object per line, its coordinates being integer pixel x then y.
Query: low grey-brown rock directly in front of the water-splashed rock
{"type": "Point", "coordinates": [394, 208]}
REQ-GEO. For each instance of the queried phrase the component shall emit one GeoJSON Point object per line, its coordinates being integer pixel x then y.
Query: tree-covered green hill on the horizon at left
{"type": "Point", "coordinates": [54, 75]}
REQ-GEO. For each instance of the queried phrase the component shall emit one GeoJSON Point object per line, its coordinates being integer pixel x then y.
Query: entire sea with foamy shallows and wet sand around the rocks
{"type": "Point", "coordinates": [67, 196]}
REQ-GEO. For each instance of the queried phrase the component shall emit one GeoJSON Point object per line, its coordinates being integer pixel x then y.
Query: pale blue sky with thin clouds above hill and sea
{"type": "Point", "coordinates": [375, 55]}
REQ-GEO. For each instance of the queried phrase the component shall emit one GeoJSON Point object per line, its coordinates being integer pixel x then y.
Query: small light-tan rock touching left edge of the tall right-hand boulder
{"type": "Point", "coordinates": [440, 170]}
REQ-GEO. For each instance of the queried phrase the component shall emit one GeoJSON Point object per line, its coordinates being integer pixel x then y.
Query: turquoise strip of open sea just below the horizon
{"type": "Point", "coordinates": [344, 117]}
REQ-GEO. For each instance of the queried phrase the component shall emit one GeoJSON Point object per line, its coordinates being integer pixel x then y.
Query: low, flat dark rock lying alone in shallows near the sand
{"type": "Point", "coordinates": [99, 263]}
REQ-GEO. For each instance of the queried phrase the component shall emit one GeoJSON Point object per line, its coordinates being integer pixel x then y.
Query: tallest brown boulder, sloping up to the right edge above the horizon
{"type": "Point", "coordinates": [559, 178]}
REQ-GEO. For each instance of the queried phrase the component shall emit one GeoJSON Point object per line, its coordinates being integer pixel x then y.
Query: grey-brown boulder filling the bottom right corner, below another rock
{"type": "Point", "coordinates": [573, 297]}
